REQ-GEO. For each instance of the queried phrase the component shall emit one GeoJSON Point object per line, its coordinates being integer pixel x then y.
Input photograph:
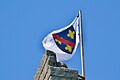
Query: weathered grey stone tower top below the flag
{"type": "Point", "coordinates": [50, 69]}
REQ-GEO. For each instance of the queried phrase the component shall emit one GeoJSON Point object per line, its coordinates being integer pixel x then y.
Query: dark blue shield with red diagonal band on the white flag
{"type": "Point", "coordinates": [66, 39]}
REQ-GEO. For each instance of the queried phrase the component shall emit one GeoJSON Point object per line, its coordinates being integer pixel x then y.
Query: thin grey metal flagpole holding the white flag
{"type": "Point", "coordinates": [81, 46]}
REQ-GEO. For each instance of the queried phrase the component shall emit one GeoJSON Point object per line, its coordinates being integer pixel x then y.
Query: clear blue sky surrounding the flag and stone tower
{"type": "Point", "coordinates": [25, 23]}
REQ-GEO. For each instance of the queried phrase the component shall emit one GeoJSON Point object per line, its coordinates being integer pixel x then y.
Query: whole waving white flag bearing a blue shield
{"type": "Point", "coordinates": [63, 42]}
